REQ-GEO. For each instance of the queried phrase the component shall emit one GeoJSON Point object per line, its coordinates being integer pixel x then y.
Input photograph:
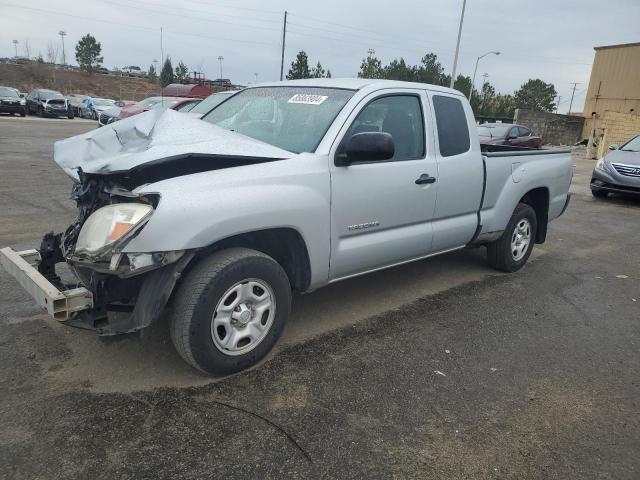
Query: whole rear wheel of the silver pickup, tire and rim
{"type": "Point", "coordinates": [512, 250]}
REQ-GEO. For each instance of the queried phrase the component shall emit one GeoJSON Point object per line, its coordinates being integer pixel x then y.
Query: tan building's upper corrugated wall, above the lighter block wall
{"type": "Point", "coordinates": [615, 80]}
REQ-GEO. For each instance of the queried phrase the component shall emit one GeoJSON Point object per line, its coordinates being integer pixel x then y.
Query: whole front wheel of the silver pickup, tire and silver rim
{"type": "Point", "coordinates": [230, 310]}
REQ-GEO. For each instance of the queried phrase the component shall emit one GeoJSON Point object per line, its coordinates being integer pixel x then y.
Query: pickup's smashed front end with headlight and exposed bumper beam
{"type": "Point", "coordinates": [117, 292]}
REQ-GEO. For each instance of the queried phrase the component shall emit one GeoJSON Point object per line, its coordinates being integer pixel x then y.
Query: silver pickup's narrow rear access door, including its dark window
{"type": "Point", "coordinates": [460, 172]}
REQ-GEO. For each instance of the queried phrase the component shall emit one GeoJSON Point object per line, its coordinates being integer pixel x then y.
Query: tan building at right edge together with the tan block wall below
{"type": "Point", "coordinates": [614, 96]}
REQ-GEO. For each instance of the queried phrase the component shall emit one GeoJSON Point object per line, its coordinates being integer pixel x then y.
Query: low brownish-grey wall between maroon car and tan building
{"type": "Point", "coordinates": [554, 129]}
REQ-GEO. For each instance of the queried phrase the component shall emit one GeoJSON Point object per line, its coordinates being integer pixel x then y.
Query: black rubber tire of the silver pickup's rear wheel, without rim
{"type": "Point", "coordinates": [499, 252]}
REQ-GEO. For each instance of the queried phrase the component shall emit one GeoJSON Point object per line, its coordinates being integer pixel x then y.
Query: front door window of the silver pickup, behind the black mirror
{"type": "Point", "coordinates": [398, 115]}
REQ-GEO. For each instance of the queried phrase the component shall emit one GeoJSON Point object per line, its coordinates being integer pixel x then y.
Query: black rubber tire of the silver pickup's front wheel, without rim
{"type": "Point", "coordinates": [192, 308]}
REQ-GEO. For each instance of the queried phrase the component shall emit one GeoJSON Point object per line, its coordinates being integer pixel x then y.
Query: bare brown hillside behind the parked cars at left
{"type": "Point", "coordinates": [36, 75]}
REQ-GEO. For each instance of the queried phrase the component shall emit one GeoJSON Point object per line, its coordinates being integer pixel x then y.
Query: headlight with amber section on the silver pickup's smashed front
{"type": "Point", "coordinates": [110, 225]}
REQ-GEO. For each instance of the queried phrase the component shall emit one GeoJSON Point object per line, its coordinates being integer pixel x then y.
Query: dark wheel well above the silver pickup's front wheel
{"type": "Point", "coordinates": [285, 245]}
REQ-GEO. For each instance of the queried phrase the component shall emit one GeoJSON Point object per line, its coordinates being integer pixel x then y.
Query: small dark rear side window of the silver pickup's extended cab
{"type": "Point", "coordinates": [453, 131]}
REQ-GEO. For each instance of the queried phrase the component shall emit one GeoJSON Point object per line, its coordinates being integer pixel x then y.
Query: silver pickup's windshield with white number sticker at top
{"type": "Point", "coordinates": [291, 118]}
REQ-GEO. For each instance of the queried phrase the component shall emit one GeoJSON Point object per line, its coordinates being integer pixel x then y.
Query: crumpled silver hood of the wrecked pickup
{"type": "Point", "coordinates": [151, 136]}
